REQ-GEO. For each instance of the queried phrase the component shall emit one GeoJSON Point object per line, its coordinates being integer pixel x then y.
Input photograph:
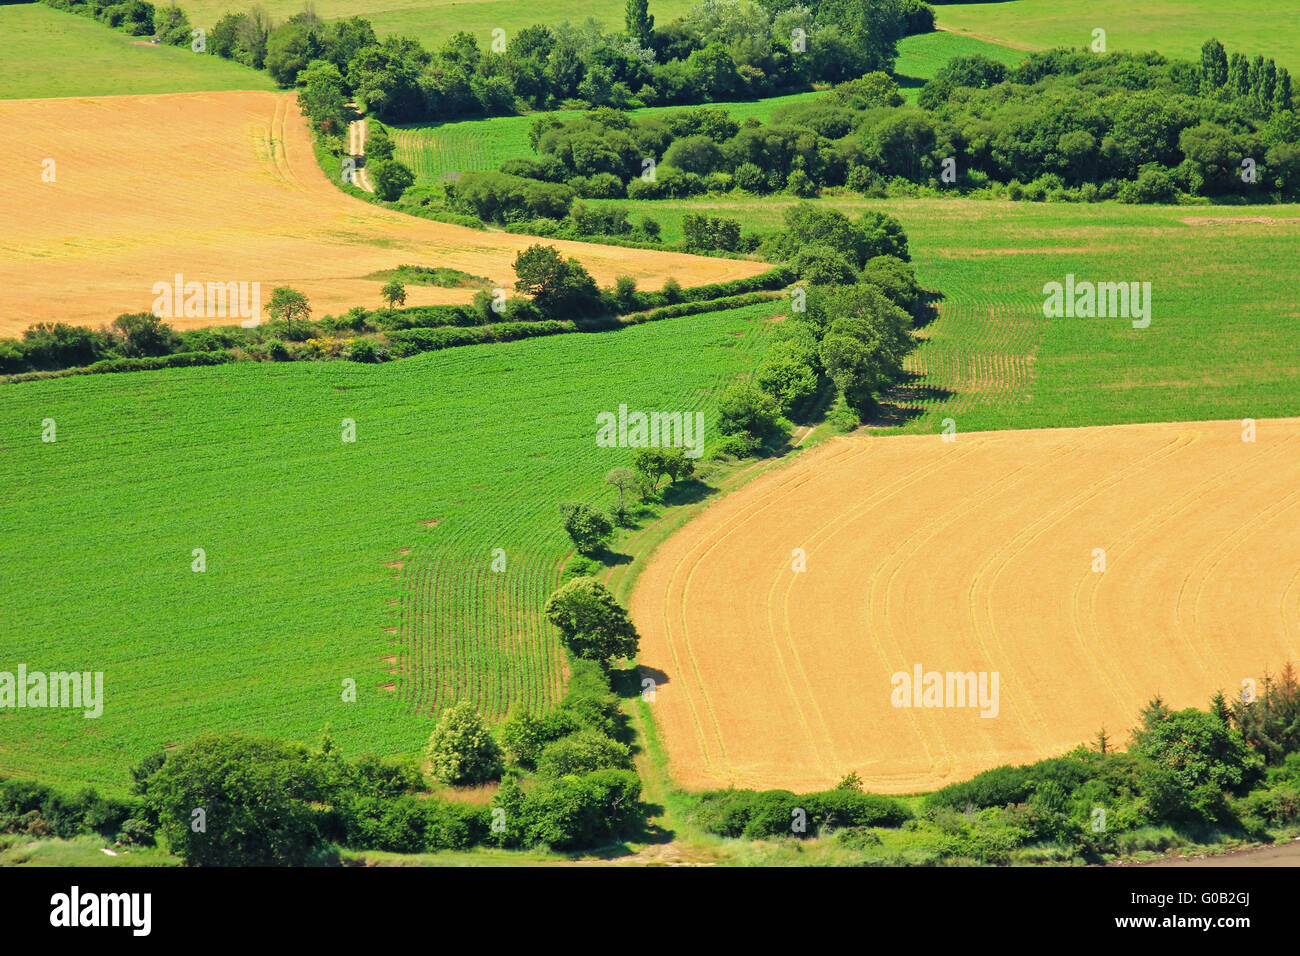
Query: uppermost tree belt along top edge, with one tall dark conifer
{"type": "Point", "coordinates": [717, 51]}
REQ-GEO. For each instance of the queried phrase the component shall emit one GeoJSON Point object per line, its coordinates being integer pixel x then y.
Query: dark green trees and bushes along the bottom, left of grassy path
{"type": "Point", "coordinates": [242, 801]}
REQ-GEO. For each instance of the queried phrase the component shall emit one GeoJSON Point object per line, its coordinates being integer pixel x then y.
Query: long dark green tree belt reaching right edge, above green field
{"type": "Point", "coordinates": [1063, 126]}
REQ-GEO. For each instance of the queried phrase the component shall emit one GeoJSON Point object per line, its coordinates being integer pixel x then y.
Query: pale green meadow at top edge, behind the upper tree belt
{"type": "Point", "coordinates": [434, 21]}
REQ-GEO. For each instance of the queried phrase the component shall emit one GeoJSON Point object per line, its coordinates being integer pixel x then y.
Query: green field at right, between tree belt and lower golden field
{"type": "Point", "coordinates": [1221, 343]}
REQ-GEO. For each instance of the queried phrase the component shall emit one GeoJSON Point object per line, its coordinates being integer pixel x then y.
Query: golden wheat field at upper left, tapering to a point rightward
{"type": "Point", "coordinates": [109, 196]}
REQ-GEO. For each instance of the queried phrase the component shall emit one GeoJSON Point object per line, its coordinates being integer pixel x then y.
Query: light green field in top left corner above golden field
{"type": "Point", "coordinates": [47, 53]}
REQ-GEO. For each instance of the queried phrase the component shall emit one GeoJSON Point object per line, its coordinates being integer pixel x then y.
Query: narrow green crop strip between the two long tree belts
{"type": "Point", "coordinates": [470, 145]}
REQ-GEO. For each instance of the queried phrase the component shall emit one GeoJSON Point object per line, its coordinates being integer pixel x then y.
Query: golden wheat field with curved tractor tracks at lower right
{"type": "Point", "coordinates": [973, 556]}
